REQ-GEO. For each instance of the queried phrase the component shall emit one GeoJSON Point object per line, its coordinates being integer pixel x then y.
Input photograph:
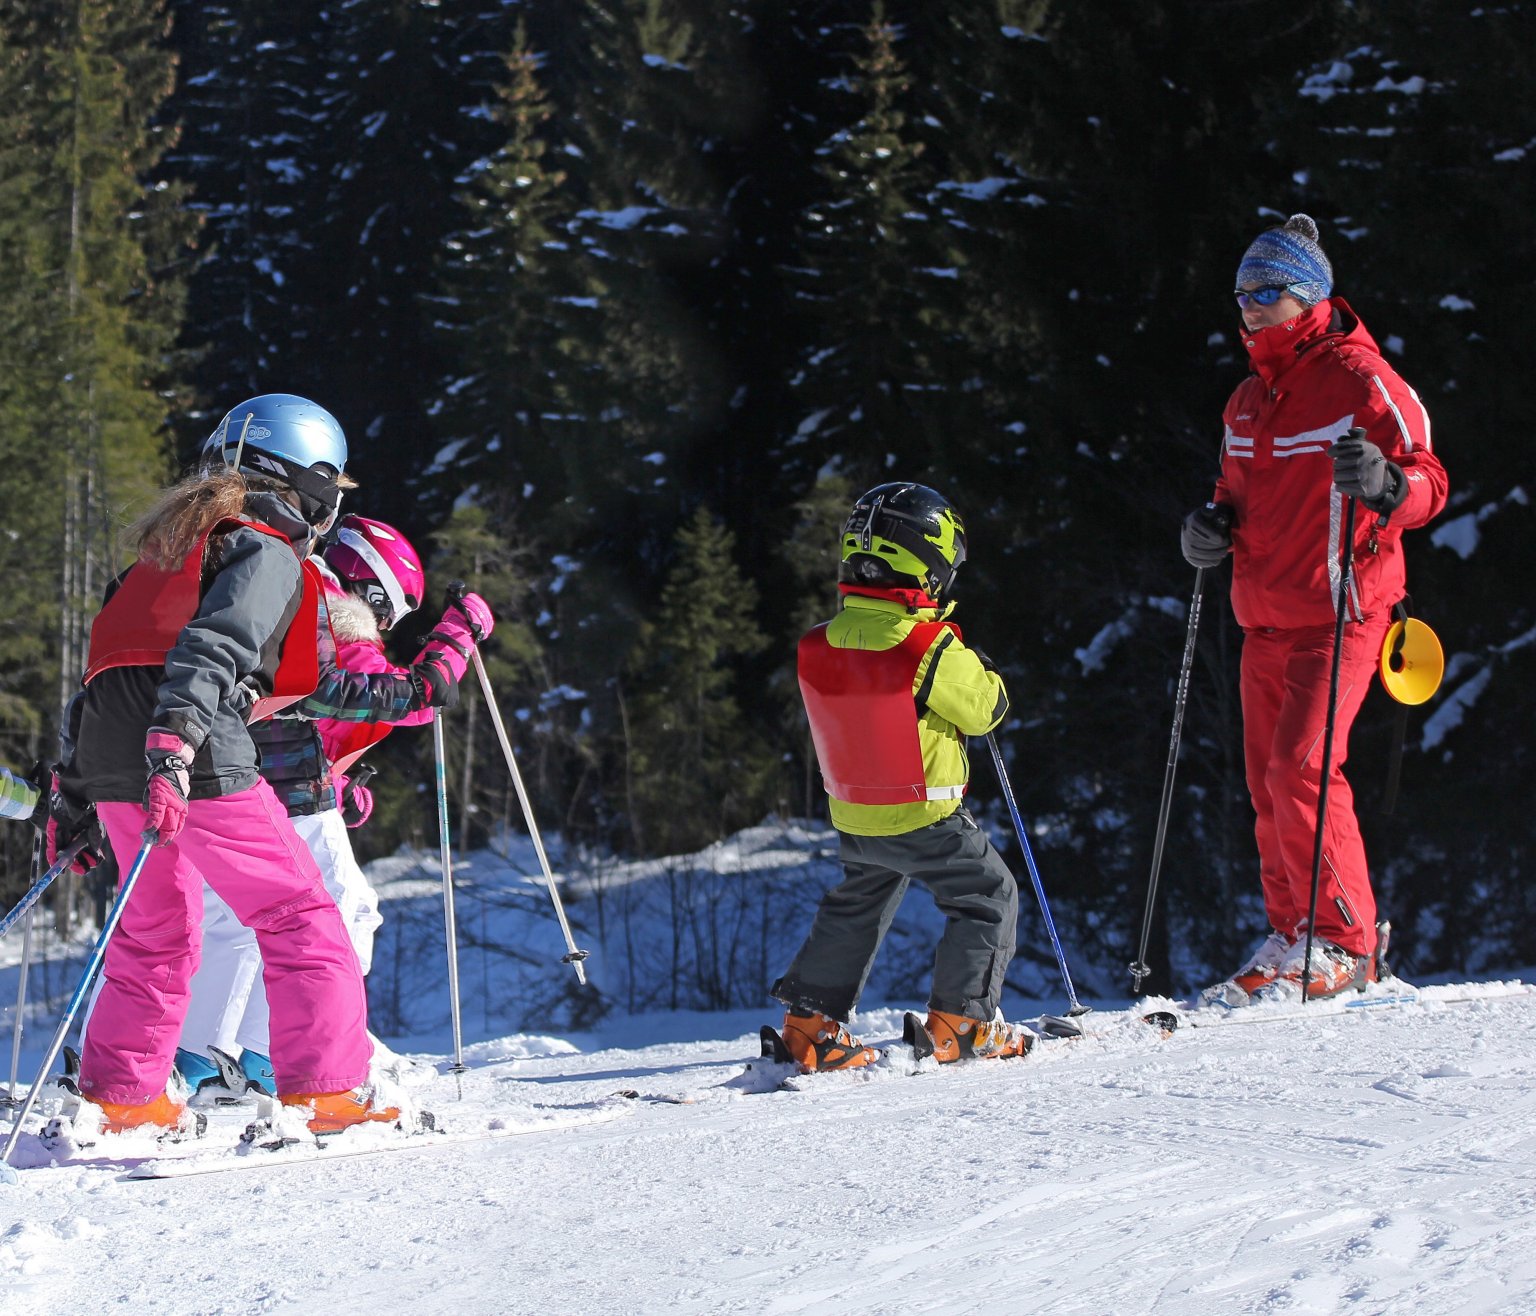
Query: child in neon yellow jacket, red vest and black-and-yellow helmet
{"type": "Point", "coordinates": [890, 690]}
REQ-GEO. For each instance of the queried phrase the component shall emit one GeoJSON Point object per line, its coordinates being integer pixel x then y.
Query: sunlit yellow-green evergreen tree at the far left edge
{"type": "Point", "coordinates": [93, 305]}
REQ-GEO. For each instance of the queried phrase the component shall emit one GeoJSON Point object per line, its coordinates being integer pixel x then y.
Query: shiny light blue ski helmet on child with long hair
{"type": "Point", "coordinates": [288, 440]}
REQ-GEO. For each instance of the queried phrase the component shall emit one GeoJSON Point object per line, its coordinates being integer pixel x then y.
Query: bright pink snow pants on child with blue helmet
{"type": "Point", "coordinates": [247, 850]}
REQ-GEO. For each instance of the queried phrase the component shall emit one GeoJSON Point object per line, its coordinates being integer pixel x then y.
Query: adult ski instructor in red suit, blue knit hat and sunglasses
{"type": "Point", "coordinates": [1288, 466]}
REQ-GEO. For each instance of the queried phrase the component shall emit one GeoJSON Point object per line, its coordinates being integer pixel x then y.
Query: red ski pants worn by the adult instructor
{"type": "Point", "coordinates": [1285, 713]}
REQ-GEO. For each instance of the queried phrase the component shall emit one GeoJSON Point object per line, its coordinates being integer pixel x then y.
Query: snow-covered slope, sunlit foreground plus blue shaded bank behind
{"type": "Point", "coordinates": [1360, 1163]}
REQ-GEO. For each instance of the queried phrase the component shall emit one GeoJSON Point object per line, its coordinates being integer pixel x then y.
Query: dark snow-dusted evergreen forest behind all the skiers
{"type": "Point", "coordinates": [621, 303]}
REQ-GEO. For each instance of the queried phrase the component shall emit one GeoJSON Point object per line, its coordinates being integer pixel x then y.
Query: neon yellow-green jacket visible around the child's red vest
{"type": "Point", "coordinates": [961, 699]}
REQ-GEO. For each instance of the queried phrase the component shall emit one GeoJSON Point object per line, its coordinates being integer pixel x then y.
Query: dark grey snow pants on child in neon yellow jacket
{"type": "Point", "coordinates": [968, 881]}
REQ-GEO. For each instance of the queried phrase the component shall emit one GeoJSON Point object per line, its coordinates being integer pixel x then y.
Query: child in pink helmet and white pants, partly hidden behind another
{"type": "Point", "coordinates": [374, 578]}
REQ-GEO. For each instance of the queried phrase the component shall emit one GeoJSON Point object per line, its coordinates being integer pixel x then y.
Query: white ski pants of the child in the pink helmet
{"type": "Point", "coordinates": [230, 1002]}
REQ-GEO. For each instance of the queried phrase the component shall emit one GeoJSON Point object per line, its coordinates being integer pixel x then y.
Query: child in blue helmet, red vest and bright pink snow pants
{"type": "Point", "coordinates": [213, 627]}
